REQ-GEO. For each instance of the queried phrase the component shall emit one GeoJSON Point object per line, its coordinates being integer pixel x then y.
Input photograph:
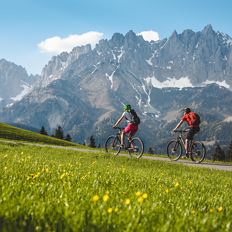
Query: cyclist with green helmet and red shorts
{"type": "Point", "coordinates": [131, 128]}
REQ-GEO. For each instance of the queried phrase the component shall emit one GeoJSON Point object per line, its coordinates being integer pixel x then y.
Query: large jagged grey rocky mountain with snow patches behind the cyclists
{"type": "Point", "coordinates": [84, 90]}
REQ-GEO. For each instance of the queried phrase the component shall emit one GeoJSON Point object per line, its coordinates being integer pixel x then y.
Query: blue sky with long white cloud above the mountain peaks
{"type": "Point", "coordinates": [32, 31]}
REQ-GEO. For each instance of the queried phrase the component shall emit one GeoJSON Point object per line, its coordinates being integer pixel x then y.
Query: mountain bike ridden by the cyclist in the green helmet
{"type": "Point", "coordinates": [133, 146]}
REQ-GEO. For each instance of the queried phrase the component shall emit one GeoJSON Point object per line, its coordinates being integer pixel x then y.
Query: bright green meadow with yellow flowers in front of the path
{"type": "Point", "coordinates": [45, 189]}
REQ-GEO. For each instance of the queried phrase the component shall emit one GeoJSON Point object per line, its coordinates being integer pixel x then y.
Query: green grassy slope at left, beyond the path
{"type": "Point", "coordinates": [14, 133]}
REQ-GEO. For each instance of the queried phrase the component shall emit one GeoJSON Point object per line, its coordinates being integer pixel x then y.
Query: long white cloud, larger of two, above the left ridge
{"type": "Point", "coordinates": [56, 44]}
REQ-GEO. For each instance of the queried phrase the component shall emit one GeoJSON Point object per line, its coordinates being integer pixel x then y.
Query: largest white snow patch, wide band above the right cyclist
{"type": "Point", "coordinates": [182, 82]}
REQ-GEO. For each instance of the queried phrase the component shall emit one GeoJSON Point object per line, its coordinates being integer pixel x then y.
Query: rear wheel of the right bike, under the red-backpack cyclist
{"type": "Point", "coordinates": [198, 152]}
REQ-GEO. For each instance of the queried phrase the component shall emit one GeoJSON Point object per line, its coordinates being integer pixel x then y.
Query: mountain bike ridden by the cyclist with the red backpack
{"type": "Point", "coordinates": [175, 148]}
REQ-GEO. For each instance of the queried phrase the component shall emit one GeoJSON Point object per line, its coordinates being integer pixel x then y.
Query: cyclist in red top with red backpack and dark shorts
{"type": "Point", "coordinates": [191, 118]}
